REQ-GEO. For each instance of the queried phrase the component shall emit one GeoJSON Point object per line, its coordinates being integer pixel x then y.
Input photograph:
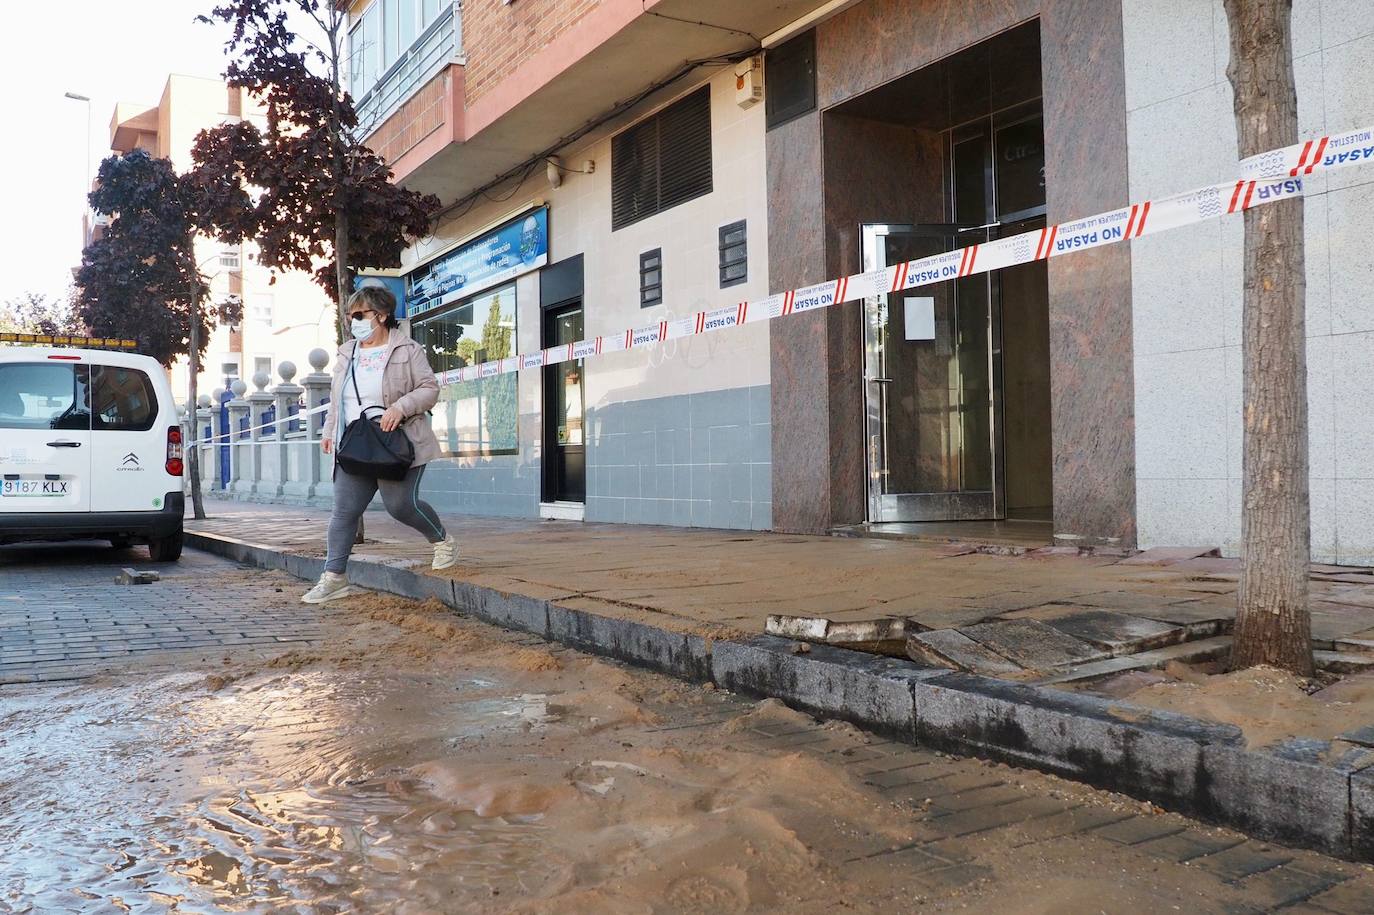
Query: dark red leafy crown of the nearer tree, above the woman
{"type": "Point", "coordinates": [304, 188]}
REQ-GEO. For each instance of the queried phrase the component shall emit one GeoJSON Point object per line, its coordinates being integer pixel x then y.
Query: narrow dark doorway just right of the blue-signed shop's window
{"type": "Point", "coordinates": [565, 446]}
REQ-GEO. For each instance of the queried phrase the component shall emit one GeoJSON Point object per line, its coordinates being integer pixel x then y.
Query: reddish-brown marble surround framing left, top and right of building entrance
{"type": "Point", "coordinates": [818, 477]}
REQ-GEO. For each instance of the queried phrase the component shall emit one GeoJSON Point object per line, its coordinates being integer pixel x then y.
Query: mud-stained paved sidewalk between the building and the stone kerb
{"type": "Point", "coordinates": [739, 579]}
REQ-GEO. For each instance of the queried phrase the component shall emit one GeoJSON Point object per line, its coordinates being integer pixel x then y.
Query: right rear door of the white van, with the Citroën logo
{"type": "Point", "coordinates": [128, 440]}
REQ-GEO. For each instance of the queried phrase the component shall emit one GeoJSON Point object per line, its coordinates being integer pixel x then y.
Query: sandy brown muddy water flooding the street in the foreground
{"type": "Point", "coordinates": [407, 770]}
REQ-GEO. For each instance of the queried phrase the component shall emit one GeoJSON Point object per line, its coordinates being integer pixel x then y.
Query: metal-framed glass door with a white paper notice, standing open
{"type": "Point", "coordinates": [932, 385]}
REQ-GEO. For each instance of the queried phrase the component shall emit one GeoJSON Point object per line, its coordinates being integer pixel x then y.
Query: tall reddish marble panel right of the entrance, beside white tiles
{"type": "Point", "coordinates": [1090, 296]}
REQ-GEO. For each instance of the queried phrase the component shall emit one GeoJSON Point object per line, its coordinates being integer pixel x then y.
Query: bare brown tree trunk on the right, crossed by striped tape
{"type": "Point", "coordinates": [1273, 623]}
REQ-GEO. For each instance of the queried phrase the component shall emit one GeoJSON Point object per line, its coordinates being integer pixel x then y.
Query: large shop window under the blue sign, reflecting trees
{"type": "Point", "coordinates": [476, 418]}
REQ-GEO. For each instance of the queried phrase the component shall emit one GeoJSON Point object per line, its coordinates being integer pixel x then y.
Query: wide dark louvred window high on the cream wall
{"type": "Point", "coordinates": [662, 161]}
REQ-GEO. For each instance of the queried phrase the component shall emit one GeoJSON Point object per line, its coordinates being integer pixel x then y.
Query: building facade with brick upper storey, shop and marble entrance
{"type": "Point", "coordinates": [675, 157]}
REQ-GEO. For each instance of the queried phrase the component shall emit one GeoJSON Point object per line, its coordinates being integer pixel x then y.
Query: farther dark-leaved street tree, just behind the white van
{"type": "Point", "coordinates": [141, 281]}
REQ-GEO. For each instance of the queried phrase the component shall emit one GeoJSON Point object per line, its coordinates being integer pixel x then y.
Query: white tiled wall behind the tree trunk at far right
{"type": "Point", "coordinates": [1188, 291]}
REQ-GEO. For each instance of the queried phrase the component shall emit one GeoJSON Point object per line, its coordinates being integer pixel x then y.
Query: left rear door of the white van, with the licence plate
{"type": "Point", "coordinates": [45, 436]}
